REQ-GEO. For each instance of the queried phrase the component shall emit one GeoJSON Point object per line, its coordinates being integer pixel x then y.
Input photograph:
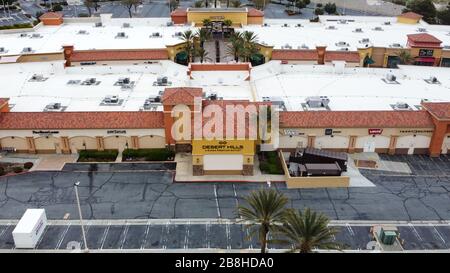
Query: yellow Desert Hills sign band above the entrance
{"type": "Point", "coordinates": [200, 147]}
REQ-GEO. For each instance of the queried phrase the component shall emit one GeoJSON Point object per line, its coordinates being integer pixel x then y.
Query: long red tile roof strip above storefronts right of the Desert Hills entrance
{"type": "Point", "coordinates": [356, 119]}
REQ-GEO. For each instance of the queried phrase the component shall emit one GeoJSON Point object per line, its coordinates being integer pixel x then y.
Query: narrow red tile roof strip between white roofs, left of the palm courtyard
{"type": "Point", "coordinates": [119, 55]}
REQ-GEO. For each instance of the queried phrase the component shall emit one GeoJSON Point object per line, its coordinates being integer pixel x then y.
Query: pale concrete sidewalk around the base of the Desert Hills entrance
{"type": "Point", "coordinates": [184, 173]}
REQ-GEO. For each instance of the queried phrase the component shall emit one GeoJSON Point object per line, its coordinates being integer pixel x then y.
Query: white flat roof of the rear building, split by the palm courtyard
{"type": "Point", "coordinates": [309, 35]}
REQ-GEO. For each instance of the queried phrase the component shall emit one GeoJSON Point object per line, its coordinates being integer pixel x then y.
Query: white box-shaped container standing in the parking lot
{"type": "Point", "coordinates": [30, 228]}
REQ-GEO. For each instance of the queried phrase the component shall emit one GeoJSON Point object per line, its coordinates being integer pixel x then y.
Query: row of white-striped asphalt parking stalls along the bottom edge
{"type": "Point", "coordinates": [211, 236]}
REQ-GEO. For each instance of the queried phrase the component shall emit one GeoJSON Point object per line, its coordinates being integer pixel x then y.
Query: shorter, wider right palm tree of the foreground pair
{"type": "Point", "coordinates": [308, 230]}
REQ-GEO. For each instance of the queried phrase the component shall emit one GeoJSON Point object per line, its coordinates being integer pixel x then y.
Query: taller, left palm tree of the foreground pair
{"type": "Point", "coordinates": [265, 212]}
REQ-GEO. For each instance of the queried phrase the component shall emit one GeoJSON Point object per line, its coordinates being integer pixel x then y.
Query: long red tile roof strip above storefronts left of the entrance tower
{"type": "Point", "coordinates": [81, 120]}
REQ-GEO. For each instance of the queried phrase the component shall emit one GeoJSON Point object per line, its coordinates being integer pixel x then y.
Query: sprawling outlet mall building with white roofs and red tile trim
{"type": "Point", "coordinates": [71, 85]}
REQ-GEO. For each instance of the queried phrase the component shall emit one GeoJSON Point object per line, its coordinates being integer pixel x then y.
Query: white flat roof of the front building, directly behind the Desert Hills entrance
{"type": "Point", "coordinates": [351, 89]}
